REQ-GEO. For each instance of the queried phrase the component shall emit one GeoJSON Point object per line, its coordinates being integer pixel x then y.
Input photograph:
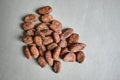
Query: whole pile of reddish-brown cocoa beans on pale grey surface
{"type": "Point", "coordinates": [46, 42]}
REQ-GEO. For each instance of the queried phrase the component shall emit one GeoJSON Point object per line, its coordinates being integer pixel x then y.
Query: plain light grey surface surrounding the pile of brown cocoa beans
{"type": "Point", "coordinates": [97, 22]}
